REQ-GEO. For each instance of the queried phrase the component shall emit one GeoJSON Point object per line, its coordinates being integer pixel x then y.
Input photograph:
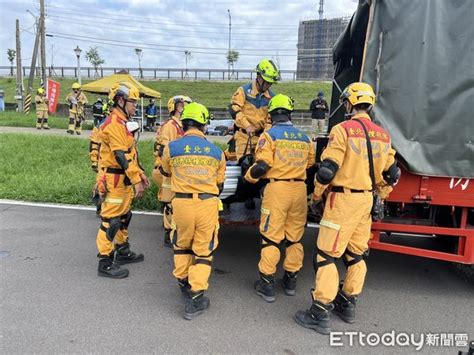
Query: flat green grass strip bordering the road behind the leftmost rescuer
{"type": "Point", "coordinates": [56, 169]}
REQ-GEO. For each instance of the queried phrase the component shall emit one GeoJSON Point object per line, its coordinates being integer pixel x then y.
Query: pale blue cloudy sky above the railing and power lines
{"type": "Point", "coordinates": [164, 30]}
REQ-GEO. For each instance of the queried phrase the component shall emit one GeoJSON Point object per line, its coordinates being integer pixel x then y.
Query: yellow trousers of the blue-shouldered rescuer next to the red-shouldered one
{"type": "Point", "coordinates": [283, 217]}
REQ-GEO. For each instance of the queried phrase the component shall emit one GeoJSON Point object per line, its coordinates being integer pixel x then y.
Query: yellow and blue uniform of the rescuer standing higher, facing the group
{"type": "Point", "coordinates": [251, 108]}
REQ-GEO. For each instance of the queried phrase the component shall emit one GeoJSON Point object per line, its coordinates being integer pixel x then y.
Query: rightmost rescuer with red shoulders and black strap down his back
{"type": "Point", "coordinates": [345, 226]}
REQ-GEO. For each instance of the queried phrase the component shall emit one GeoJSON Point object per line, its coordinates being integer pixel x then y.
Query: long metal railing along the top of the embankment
{"type": "Point", "coordinates": [158, 73]}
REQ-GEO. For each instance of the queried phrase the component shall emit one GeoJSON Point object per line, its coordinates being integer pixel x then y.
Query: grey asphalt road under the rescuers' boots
{"type": "Point", "coordinates": [52, 300]}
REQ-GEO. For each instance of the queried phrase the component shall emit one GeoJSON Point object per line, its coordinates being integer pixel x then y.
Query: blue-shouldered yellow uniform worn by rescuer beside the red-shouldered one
{"type": "Point", "coordinates": [288, 152]}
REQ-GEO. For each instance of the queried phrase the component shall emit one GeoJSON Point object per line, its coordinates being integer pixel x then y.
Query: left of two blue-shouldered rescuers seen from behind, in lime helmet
{"type": "Point", "coordinates": [197, 171]}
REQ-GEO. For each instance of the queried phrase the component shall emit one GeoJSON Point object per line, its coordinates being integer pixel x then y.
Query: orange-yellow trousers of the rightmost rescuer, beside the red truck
{"type": "Point", "coordinates": [344, 232]}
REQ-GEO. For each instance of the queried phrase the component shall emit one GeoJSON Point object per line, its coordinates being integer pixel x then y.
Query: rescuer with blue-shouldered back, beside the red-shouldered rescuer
{"type": "Point", "coordinates": [282, 157]}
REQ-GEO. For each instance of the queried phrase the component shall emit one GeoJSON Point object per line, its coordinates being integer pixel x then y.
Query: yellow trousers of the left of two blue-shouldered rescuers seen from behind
{"type": "Point", "coordinates": [197, 223]}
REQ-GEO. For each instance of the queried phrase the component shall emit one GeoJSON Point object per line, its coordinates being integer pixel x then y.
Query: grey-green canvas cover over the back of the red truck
{"type": "Point", "coordinates": [420, 61]}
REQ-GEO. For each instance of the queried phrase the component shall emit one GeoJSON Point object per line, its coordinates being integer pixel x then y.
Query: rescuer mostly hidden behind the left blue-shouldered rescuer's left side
{"type": "Point", "coordinates": [169, 131]}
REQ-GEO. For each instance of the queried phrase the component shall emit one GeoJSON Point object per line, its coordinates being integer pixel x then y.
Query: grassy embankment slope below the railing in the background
{"type": "Point", "coordinates": [213, 94]}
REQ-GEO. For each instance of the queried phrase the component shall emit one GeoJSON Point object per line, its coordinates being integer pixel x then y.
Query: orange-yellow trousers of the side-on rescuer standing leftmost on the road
{"type": "Point", "coordinates": [115, 214]}
